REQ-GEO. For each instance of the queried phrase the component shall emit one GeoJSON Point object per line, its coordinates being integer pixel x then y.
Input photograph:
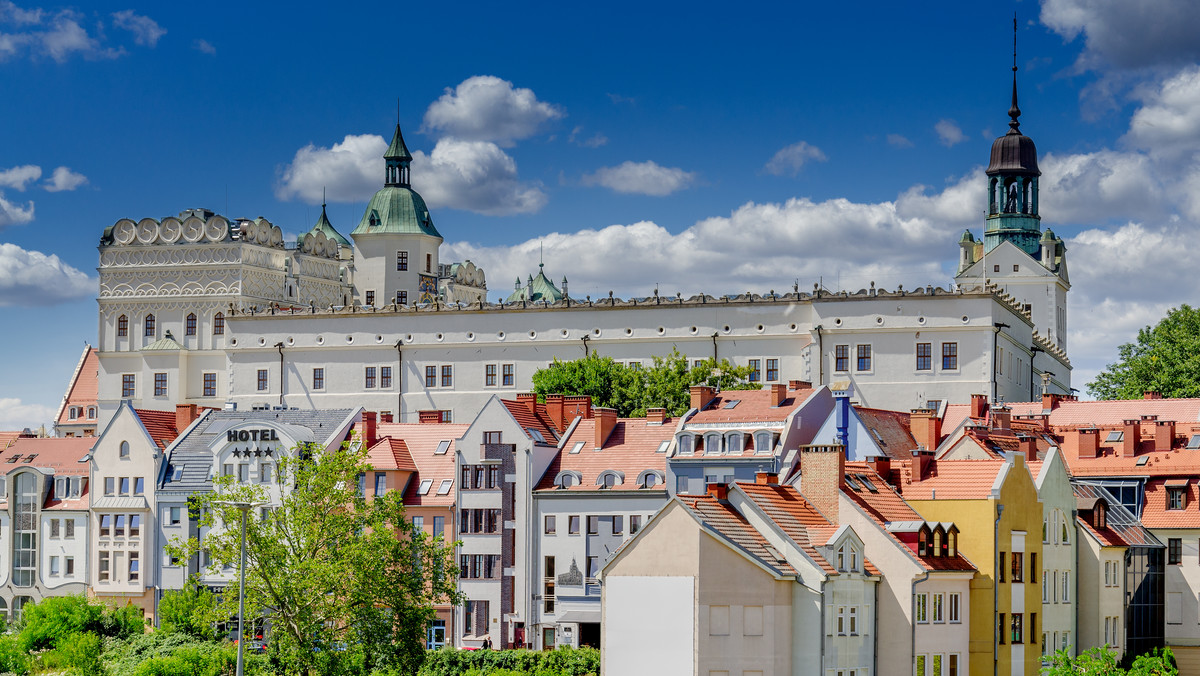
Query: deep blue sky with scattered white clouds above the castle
{"type": "Point", "coordinates": [697, 147]}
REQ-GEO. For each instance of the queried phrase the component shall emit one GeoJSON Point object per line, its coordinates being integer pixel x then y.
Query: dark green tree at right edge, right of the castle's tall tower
{"type": "Point", "coordinates": [1166, 358]}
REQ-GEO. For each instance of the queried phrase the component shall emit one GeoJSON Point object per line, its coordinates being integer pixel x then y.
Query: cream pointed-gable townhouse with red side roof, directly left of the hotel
{"type": "Point", "coordinates": [124, 469]}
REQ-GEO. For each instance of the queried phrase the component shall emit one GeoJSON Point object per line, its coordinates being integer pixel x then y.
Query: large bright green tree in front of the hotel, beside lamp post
{"type": "Point", "coordinates": [343, 578]}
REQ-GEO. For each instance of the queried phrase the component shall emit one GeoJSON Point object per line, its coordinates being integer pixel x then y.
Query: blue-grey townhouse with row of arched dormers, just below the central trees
{"type": "Point", "coordinates": [734, 435]}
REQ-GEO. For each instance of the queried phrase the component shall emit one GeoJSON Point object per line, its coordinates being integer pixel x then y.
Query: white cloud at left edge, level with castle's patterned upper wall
{"type": "Point", "coordinates": [32, 278]}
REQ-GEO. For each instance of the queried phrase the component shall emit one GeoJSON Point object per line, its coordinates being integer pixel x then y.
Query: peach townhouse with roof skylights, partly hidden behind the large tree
{"type": "Point", "coordinates": [431, 495]}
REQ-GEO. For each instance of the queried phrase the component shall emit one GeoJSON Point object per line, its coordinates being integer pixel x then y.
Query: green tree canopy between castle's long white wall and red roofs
{"type": "Point", "coordinates": [632, 391]}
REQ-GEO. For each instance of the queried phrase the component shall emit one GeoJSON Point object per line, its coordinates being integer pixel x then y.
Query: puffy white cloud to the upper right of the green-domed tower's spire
{"type": "Point", "coordinates": [490, 109]}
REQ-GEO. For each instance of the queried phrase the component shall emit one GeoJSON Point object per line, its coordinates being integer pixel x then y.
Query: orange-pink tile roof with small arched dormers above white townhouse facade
{"type": "Point", "coordinates": [632, 448]}
